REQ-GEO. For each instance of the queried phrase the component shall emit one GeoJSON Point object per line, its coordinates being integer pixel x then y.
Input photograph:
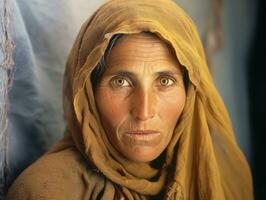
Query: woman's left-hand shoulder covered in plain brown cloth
{"type": "Point", "coordinates": [62, 175]}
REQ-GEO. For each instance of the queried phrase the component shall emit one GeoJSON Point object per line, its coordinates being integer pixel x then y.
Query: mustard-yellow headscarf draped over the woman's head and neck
{"type": "Point", "coordinates": [206, 159]}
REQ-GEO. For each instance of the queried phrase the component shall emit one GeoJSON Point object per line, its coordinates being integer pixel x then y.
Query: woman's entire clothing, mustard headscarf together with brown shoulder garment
{"type": "Point", "coordinates": [203, 160]}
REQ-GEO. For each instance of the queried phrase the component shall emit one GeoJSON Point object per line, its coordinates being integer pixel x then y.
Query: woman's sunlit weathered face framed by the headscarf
{"type": "Point", "coordinates": [140, 96]}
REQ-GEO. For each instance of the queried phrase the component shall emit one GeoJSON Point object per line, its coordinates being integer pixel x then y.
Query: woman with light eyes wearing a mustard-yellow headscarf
{"type": "Point", "coordinates": [144, 119]}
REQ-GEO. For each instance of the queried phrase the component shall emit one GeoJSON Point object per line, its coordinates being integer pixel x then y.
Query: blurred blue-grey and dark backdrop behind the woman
{"type": "Point", "coordinates": [43, 33]}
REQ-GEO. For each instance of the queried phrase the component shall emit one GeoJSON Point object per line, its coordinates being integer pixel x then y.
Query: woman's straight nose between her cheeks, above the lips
{"type": "Point", "coordinates": [143, 105]}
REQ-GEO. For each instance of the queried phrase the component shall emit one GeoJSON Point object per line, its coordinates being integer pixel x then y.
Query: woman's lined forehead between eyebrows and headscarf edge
{"type": "Point", "coordinates": [141, 49]}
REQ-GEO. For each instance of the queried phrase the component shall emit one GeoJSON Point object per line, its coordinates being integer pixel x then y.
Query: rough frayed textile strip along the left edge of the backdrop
{"type": "Point", "coordinates": [6, 76]}
